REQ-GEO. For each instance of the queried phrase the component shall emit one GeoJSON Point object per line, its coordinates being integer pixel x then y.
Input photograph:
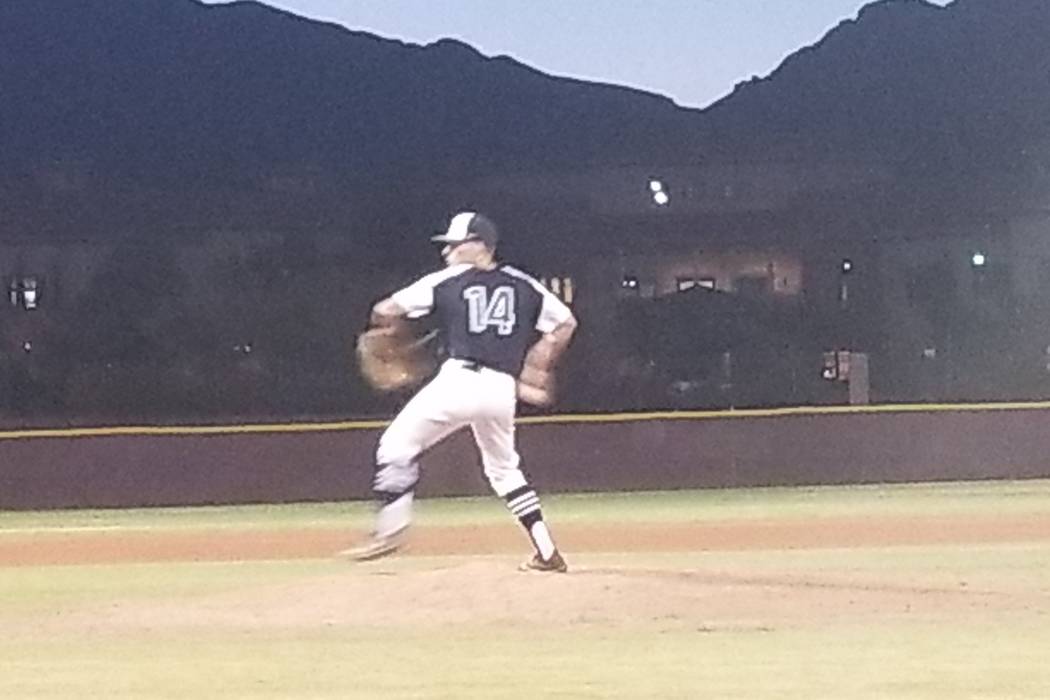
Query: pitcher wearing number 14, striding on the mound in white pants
{"type": "Point", "coordinates": [505, 333]}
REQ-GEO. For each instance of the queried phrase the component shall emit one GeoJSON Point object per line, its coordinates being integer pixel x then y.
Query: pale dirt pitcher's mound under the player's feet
{"type": "Point", "coordinates": [491, 591]}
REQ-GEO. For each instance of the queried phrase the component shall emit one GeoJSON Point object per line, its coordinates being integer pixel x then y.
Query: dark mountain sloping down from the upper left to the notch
{"type": "Point", "coordinates": [164, 92]}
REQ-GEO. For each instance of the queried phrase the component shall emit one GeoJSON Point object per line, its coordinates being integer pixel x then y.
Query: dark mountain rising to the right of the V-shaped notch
{"type": "Point", "coordinates": [907, 82]}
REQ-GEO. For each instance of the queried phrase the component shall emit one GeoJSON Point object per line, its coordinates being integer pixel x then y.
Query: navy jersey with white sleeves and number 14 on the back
{"type": "Point", "coordinates": [488, 316]}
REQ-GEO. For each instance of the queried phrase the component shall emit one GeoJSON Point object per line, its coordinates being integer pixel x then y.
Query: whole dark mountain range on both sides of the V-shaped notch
{"type": "Point", "coordinates": [115, 100]}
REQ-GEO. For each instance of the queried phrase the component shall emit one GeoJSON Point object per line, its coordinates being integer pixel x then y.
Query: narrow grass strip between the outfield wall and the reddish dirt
{"type": "Point", "coordinates": [978, 499]}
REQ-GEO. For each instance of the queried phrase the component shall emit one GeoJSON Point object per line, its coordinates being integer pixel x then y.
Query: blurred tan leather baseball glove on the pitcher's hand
{"type": "Point", "coordinates": [391, 358]}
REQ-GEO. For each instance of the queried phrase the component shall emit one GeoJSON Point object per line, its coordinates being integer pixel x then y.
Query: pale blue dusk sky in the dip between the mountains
{"type": "Point", "coordinates": [694, 52]}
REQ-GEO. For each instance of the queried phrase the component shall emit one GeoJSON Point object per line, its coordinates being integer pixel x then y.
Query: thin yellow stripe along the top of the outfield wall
{"type": "Point", "coordinates": [568, 419]}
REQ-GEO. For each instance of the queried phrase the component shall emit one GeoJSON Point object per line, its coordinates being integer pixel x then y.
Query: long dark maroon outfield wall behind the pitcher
{"type": "Point", "coordinates": [150, 466]}
